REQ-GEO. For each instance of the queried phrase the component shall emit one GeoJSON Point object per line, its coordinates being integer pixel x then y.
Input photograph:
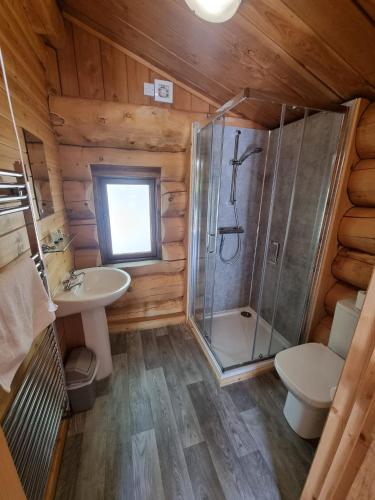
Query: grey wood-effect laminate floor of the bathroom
{"type": "Point", "coordinates": [161, 428]}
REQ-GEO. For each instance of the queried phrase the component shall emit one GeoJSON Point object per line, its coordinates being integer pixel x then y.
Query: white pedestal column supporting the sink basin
{"type": "Point", "coordinates": [95, 329]}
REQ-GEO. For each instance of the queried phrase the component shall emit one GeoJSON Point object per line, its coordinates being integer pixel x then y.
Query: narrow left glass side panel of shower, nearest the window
{"type": "Point", "coordinates": [208, 156]}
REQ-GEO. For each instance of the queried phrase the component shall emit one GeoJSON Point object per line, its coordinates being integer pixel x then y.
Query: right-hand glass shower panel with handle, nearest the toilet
{"type": "Point", "coordinates": [302, 155]}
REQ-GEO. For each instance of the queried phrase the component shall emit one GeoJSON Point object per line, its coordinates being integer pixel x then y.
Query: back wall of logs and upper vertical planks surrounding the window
{"type": "Point", "coordinates": [107, 85]}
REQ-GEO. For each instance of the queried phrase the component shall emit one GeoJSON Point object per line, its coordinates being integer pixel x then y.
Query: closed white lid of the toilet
{"type": "Point", "coordinates": [311, 371]}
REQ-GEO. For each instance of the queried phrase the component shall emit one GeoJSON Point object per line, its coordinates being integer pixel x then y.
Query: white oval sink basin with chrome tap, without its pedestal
{"type": "Point", "coordinates": [100, 287]}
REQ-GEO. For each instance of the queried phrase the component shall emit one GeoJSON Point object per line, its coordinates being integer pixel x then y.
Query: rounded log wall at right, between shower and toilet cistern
{"type": "Point", "coordinates": [350, 256]}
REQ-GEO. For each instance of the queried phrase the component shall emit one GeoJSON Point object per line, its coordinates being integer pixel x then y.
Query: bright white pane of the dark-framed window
{"type": "Point", "coordinates": [129, 216]}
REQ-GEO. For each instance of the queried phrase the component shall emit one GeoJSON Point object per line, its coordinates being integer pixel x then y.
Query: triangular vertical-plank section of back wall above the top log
{"type": "Point", "coordinates": [93, 69]}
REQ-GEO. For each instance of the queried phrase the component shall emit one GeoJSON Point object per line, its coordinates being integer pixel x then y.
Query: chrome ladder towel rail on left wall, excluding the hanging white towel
{"type": "Point", "coordinates": [32, 421]}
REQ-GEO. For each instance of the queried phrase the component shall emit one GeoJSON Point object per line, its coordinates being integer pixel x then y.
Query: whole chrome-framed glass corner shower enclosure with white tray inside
{"type": "Point", "coordinates": [260, 200]}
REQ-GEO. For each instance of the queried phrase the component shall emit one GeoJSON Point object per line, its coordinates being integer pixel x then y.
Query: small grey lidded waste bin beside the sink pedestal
{"type": "Point", "coordinates": [80, 372]}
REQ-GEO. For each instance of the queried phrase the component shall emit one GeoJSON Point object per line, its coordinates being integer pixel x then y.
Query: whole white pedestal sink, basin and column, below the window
{"type": "Point", "coordinates": [100, 286]}
